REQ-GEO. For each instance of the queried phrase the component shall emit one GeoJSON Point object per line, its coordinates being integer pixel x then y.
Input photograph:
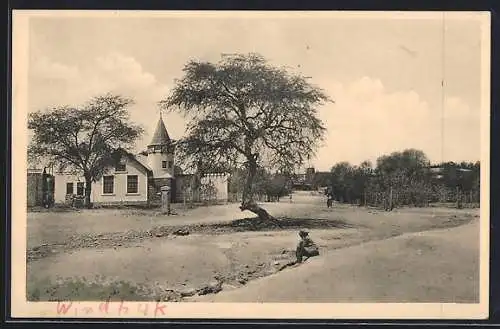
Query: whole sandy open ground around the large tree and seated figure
{"type": "Point", "coordinates": [236, 256]}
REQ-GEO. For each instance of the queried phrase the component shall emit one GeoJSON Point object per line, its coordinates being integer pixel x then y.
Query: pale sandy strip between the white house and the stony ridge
{"type": "Point", "coordinates": [54, 227]}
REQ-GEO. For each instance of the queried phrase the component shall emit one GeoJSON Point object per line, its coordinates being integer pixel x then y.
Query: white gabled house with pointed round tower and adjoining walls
{"type": "Point", "coordinates": [137, 178]}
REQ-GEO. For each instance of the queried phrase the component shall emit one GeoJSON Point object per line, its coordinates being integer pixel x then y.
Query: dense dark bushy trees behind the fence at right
{"type": "Point", "coordinates": [408, 175]}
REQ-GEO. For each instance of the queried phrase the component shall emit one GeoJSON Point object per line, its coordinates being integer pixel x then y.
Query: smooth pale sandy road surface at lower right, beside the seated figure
{"type": "Point", "coordinates": [439, 266]}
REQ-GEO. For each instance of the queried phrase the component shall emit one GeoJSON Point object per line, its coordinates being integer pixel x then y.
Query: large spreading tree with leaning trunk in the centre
{"type": "Point", "coordinates": [244, 111]}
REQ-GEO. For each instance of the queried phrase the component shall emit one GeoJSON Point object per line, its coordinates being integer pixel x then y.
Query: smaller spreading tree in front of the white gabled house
{"type": "Point", "coordinates": [85, 140]}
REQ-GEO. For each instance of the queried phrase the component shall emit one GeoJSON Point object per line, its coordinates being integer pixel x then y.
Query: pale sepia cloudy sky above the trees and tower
{"type": "Point", "coordinates": [385, 75]}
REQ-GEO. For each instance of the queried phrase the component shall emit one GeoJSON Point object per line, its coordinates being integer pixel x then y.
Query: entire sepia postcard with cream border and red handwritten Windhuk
{"type": "Point", "coordinates": [250, 165]}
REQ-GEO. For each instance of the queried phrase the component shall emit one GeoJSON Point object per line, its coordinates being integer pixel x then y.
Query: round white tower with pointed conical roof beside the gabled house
{"type": "Point", "coordinates": [161, 153]}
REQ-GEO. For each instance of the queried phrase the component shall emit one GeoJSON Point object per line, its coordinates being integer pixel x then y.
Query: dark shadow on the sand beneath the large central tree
{"type": "Point", "coordinates": [255, 224]}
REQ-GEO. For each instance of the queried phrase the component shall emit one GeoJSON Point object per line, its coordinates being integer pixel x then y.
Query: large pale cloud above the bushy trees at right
{"type": "Point", "coordinates": [367, 120]}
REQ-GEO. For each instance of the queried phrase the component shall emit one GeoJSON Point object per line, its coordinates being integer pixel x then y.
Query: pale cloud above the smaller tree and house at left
{"type": "Point", "coordinates": [53, 84]}
